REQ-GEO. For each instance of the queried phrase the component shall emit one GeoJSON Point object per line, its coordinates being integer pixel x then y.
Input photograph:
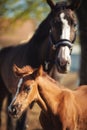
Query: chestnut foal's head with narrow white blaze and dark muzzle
{"type": "Point", "coordinates": [26, 93]}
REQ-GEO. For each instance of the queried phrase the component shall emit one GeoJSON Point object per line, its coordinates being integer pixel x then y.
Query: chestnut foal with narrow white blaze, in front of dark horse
{"type": "Point", "coordinates": [64, 109]}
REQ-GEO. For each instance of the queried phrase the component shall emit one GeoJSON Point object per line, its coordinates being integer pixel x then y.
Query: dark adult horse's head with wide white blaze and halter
{"type": "Point", "coordinates": [62, 33]}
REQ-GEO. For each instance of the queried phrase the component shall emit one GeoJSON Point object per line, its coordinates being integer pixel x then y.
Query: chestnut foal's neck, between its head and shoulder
{"type": "Point", "coordinates": [49, 92]}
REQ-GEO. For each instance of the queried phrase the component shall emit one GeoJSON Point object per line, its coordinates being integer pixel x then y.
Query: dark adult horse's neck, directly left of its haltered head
{"type": "Point", "coordinates": [38, 44]}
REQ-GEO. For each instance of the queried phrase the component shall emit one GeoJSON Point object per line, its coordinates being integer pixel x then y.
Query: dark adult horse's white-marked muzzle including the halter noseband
{"type": "Point", "coordinates": [63, 59]}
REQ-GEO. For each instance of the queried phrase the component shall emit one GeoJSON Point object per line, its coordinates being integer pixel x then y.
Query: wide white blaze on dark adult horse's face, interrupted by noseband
{"type": "Point", "coordinates": [64, 52]}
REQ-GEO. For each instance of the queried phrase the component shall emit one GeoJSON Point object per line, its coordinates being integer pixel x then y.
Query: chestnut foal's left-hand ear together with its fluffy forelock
{"type": "Point", "coordinates": [22, 71]}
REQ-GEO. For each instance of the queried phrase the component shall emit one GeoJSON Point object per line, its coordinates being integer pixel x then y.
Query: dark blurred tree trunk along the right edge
{"type": "Point", "coordinates": [82, 17]}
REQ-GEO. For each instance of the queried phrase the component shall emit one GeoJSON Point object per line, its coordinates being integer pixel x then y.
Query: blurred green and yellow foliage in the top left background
{"type": "Point", "coordinates": [23, 9]}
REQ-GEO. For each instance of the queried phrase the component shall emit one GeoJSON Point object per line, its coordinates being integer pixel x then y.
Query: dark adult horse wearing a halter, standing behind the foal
{"type": "Point", "coordinates": [50, 46]}
